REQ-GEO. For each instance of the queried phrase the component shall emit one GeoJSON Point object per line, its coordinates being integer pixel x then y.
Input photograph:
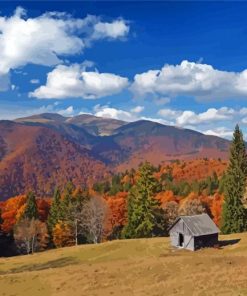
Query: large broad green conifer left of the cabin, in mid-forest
{"type": "Point", "coordinates": [144, 215]}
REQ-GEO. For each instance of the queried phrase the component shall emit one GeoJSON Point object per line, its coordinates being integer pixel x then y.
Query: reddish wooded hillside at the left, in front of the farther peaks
{"type": "Point", "coordinates": [38, 158]}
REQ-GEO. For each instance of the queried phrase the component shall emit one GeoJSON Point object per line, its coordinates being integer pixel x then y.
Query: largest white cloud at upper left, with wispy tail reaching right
{"type": "Point", "coordinates": [43, 40]}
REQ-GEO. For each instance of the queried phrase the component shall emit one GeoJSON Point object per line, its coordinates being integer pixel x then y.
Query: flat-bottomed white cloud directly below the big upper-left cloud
{"type": "Point", "coordinates": [74, 82]}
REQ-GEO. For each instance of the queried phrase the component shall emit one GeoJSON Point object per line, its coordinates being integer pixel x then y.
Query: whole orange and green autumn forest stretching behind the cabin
{"type": "Point", "coordinates": [136, 203]}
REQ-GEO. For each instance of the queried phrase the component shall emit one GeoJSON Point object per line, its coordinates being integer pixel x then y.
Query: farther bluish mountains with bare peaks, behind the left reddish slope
{"type": "Point", "coordinates": [124, 145]}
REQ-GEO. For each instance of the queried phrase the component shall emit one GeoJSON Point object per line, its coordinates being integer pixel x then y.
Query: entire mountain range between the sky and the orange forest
{"type": "Point", "coordinates": [46, 150]}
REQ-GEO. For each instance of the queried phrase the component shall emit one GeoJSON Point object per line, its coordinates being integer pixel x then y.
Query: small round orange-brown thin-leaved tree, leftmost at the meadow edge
{"type": "Point", "coordinates": [31, 235]}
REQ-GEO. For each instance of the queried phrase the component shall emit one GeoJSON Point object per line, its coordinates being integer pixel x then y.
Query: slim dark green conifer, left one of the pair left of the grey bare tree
{"type": "Point", "coordinates": [55, 210]}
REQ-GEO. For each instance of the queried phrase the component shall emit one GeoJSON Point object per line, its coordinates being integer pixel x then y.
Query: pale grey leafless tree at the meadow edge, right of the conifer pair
{"type": "Point", "coordinates": [92, 219]}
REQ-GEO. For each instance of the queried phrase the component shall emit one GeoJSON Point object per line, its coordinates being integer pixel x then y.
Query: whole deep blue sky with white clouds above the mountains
{"type": "Point", "coordinates": [177, 63]}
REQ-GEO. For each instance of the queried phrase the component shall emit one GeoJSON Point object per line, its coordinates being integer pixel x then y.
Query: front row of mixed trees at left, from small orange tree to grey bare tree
{"type": "Point", "coordinates": [74, 217]}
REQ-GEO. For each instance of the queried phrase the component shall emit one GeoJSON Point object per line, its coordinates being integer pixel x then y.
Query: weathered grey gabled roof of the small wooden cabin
{"type": "Point", "coordinates": [198, 225]}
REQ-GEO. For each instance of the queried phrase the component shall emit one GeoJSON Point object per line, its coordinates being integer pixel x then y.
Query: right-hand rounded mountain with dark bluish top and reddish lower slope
{"type": "Point", "coordinates": [145, 140]}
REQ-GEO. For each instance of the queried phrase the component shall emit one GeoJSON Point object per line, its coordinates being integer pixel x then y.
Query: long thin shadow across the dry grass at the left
{"type": "Point", "coordinates": [62, 262]}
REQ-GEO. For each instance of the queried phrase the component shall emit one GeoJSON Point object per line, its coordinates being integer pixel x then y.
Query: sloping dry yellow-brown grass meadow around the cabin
{"type": "Point", "coordinates": [134, 267]}
